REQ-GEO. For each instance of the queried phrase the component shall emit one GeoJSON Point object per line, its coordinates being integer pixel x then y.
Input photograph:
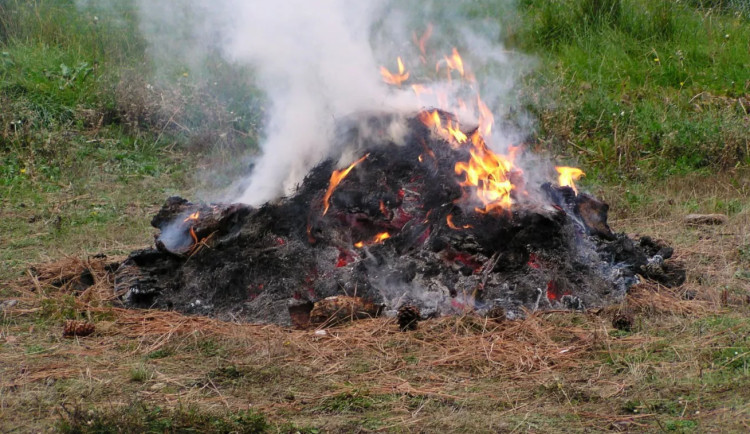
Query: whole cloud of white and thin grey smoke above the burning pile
{"type": "Point", "coordinates": [318, 62]}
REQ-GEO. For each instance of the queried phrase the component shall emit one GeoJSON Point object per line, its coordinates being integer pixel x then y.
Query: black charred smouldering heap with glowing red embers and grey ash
{"type": "Point", "coordinates": [391, 230]}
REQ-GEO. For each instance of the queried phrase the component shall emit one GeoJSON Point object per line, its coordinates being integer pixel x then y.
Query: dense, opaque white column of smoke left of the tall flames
{"type": "Point", "coordinates": [314, 62]}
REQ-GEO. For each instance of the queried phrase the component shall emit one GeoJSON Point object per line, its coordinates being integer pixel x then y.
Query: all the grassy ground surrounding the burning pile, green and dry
{"type": "Point", "coordinates": [651, 98]}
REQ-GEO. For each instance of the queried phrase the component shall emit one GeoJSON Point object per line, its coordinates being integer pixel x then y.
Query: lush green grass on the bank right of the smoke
{"type": "Point", "coordinates": [640, 88]}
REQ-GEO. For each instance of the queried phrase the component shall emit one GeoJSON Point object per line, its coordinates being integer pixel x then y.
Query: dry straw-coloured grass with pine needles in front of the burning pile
{"type": "Point", "coordinates": [682, 367]}
